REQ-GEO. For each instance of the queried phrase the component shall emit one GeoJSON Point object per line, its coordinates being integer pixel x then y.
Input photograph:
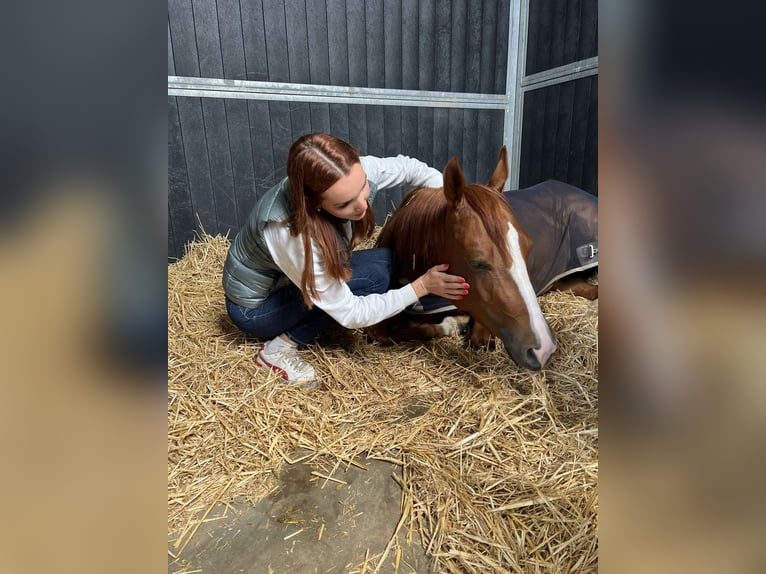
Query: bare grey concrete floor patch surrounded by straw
{"type": "Point", "coordinates": [281, 534]}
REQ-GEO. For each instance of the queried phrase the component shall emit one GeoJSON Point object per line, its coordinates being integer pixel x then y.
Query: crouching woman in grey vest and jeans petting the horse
{"type": "Point", "coordinates": [291, 274]}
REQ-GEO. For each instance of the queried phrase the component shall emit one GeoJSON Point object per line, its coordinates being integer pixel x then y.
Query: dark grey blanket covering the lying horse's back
{"type": "Point", "coordinates": [562, 222]}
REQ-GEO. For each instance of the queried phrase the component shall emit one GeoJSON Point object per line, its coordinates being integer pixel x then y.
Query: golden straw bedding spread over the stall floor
{"type": "Point", "coordinates": [499, 465]}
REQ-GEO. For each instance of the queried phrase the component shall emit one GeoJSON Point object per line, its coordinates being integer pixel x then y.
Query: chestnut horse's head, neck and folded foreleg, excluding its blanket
{"type": "Point", "coordinates": [473, 228]}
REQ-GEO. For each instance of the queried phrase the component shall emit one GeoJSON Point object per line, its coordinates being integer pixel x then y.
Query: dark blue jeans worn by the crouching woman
{"type": "Point", "coordinates": [285, 312]}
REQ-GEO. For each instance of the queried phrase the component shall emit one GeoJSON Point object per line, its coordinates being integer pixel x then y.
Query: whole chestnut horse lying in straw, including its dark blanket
{"type": "Point", "coordinates": [510, 247]}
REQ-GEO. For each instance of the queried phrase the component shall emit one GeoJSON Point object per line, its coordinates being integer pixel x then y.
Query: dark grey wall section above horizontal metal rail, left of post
{"type": "Point", "coordinates": [375, 43]}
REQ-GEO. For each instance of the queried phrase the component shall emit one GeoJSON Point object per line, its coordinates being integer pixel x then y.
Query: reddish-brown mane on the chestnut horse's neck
{"type": "Point", "coordinates": [418, 230]}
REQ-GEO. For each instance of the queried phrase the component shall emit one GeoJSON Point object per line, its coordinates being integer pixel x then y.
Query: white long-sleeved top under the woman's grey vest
{"type": "Point", "coordinates": [334, 297]}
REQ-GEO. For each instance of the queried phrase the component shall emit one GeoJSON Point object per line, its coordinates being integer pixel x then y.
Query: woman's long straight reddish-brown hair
{"type": "Point", "coordinates": [314, 164]}
